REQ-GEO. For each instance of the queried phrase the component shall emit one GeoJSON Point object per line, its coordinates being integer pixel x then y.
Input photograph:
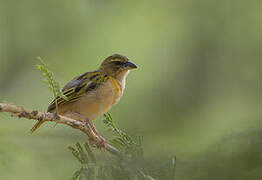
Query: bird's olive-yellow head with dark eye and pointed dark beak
{"type": "Point", "coordinates": [116, 65]}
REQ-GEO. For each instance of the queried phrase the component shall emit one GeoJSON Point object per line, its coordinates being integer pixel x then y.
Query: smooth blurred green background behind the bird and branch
{"type": "Point", "coordinates": [196, 94]}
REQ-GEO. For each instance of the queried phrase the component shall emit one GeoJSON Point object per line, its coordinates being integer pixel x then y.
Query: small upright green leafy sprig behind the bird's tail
{"type": "Point", "coordinates": [49, 79]}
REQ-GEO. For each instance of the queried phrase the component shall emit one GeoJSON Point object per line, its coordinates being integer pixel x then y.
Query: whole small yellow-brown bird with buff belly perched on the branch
{"type": "Point", "coordinates": [92, 94]}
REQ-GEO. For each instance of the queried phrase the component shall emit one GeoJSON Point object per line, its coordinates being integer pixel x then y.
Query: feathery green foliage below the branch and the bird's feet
{"type": "Point", "coordinates": [131, 165]}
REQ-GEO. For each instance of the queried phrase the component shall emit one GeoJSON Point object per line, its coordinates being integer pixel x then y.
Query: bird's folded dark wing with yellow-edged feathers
{"type": "Point", "coordinates": [78, 86]}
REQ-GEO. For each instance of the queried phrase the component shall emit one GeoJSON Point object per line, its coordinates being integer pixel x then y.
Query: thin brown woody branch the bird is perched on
{"type": "Point", "coordinates": [39, 116]}
